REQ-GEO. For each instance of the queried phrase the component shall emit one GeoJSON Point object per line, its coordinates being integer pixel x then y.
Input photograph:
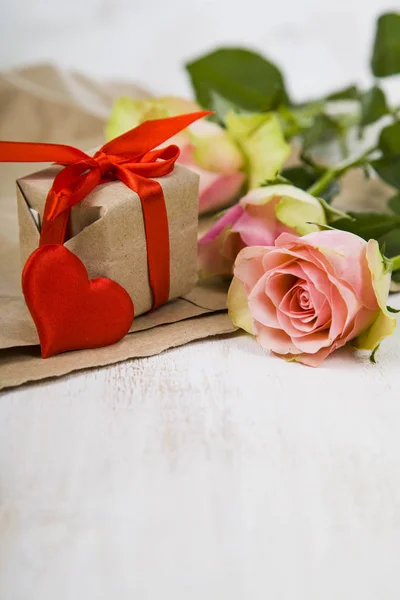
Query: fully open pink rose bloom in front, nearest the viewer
{"type": "Point", "coordinates": [305, 297]}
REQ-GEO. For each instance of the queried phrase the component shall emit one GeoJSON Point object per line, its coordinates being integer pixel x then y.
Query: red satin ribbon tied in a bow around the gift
{"type": "Point", "coordinates": [130, 158]}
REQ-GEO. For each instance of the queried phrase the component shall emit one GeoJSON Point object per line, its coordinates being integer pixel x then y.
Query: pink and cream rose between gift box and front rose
{"type": "Point", "coordinates": [257, 220]}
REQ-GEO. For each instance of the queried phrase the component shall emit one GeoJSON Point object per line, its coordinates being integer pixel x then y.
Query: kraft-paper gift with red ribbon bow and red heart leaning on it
{"type": "Point", "coordinates": [105, 237]}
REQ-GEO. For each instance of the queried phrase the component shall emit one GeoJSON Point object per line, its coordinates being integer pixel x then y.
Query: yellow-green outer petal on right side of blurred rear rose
{"type": "Point", "coordinates": [261, 139]}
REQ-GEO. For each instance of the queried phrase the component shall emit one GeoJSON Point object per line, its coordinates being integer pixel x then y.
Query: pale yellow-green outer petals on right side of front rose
{"type": "Point", "coordinates": [385, 323]}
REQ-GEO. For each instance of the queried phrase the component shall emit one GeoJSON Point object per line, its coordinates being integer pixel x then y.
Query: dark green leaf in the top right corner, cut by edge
{"type": "Point", "coordinates": [386, 53]}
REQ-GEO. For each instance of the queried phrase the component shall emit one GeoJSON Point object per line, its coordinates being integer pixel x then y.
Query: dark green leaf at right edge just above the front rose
{"type": "Point", "coordinates": [369, 225]}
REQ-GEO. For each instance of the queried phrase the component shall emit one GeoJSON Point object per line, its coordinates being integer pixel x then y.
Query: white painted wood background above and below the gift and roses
{"type": "Point", "coordinates": [212, 471]}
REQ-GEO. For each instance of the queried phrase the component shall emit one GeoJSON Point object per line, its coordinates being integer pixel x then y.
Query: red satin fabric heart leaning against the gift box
{"type": "Point", "coordinates": [70, 311]}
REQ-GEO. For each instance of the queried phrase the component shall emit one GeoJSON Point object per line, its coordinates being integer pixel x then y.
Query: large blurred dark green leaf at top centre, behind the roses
{"type": "Point", "coordinates": [242, 77]}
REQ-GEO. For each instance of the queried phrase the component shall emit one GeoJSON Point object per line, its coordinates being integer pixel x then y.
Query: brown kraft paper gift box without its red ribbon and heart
{"type": "Point", "coordinates": [106, 231]}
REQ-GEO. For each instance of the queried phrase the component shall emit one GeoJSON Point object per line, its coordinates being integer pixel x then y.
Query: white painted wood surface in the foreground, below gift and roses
{"type": "Point", "coordinates": [211, 471]}
